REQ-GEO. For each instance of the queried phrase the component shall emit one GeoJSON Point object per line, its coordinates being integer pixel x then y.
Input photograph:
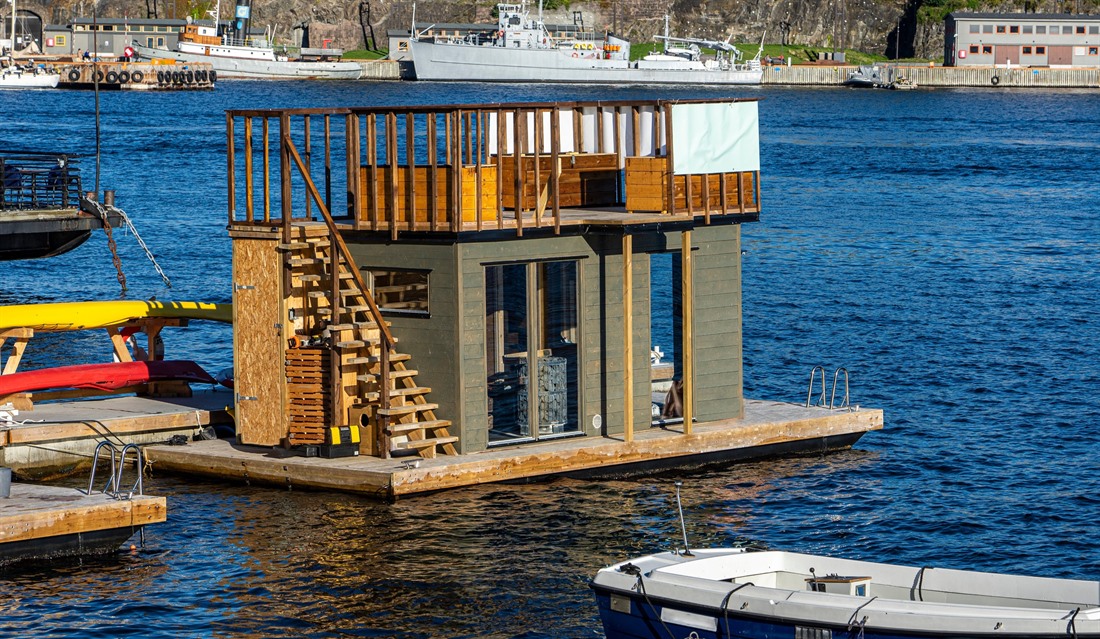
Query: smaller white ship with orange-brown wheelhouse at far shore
{"type": "Point", "coordinates": [239, 54]}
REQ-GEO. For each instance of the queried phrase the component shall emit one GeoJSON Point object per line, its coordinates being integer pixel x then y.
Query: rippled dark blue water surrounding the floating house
{"type": "Point", "coordinates": [942, 246]}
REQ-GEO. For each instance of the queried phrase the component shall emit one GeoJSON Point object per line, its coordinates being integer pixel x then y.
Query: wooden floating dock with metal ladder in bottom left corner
{"type": "Point", "coordinates": [40, 523]}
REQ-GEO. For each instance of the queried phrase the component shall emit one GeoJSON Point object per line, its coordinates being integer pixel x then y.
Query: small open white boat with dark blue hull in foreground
{"type": "Point", "coordinates": [725, 593]}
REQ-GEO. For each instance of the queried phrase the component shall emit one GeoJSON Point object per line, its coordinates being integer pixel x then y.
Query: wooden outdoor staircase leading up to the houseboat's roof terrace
{"type": "Point", "coordinates": [343, 366]}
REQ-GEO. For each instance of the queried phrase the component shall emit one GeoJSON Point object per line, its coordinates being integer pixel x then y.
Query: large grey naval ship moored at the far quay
{"type": "Point", "coordinates": [522, 50]}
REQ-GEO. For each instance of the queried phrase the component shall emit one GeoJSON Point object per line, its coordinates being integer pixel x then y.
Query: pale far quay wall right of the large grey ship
{"type": "Point", "coordinates": [926, 76]}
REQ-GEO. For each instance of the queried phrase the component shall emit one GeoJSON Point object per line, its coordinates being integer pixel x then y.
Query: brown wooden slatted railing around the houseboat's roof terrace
{"type": "Point", "coordinates": [460, 169]}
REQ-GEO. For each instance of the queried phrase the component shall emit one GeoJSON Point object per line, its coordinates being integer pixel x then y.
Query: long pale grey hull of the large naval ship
{"type": "Point", "coordinates": [493, 64]}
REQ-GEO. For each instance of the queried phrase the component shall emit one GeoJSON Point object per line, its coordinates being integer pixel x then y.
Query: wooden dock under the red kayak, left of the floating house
{"type": "Point", "coordinates": [65, 434]}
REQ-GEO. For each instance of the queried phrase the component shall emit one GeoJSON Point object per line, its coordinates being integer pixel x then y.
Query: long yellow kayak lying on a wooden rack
{"type": "Point", "coordinates": [79, 316]}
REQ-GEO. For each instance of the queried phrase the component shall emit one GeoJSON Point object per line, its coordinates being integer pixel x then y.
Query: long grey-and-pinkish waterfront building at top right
{"type": "Point", "coordinates": [1053, 40]}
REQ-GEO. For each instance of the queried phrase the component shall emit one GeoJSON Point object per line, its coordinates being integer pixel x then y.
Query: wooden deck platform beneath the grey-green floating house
{"type": "Point", "coordinates": [769, 428]}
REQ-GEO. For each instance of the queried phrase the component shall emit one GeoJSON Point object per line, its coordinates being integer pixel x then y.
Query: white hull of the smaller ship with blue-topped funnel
{"type": "Point", "coordinates": [243, 69]}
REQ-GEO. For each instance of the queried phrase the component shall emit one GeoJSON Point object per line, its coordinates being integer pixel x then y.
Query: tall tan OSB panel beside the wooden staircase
{"type": "Point", "coordinates": [258, 343]}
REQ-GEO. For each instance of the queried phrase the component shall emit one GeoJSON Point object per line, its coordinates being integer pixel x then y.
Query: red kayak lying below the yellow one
{"type": "Point", "coordinates": [109, 377]}
